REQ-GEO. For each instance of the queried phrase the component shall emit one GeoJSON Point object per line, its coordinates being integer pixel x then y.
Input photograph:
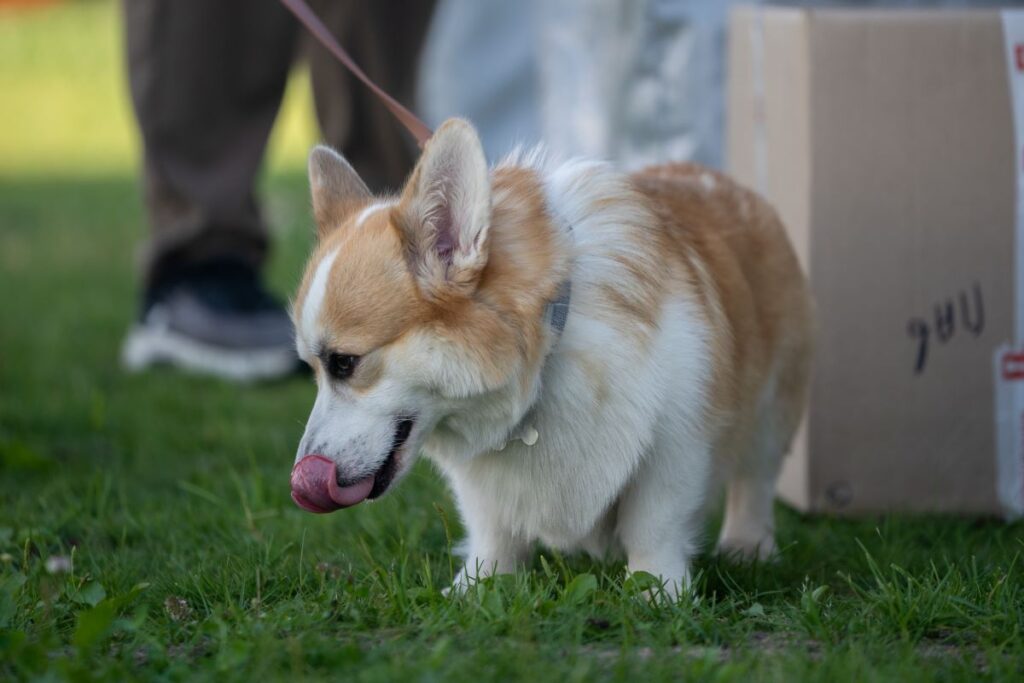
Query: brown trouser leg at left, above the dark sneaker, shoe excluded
{"type": "Point", "coordinates": [206, 79]}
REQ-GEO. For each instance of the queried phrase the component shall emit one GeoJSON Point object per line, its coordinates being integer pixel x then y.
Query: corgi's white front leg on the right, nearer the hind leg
{"type": "Point", "coordinates": [660, 516]}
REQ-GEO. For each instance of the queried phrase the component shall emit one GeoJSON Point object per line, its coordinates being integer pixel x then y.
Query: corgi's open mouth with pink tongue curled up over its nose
{"type": "Point", "coordinates": [317, 486]}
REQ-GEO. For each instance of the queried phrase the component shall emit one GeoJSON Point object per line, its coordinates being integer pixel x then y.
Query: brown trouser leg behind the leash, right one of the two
{"type": "Point", "coordinates": [385, 37]}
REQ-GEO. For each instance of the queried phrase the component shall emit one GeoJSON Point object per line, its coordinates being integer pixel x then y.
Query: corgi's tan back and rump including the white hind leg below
{"type": "Point", "coordinates": [757, 298]}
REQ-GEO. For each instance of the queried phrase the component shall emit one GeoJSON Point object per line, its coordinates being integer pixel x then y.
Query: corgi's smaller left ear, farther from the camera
{"type": "Point", "coordinates": [337, 190]}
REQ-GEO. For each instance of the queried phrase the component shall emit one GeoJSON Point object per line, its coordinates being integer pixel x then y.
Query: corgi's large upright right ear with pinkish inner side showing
{"type": "Point", "coordinates": [445, 211]}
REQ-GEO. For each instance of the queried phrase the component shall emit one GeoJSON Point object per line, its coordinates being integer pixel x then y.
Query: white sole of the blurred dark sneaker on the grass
{"type": "Point", "coordinates": [145, 349]}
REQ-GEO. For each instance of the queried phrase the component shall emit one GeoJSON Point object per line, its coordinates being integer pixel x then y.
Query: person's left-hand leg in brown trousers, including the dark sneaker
{"type": "Point", "coordinates": [207, 79]}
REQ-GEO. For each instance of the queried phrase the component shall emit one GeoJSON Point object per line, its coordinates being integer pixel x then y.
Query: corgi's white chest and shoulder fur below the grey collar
{"type": "Point", "coordinates": [602, 409]}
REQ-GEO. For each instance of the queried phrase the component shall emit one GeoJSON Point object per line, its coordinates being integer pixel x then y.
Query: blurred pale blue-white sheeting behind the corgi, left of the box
{"type": "Point", "coordinates": [633, 81]}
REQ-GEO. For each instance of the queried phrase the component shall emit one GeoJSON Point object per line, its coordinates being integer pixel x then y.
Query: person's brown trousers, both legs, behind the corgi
{"type": "Point", "coordinates": [207, 79]}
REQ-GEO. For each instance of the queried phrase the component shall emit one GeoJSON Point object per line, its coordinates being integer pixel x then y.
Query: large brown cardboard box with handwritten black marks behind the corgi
{"type": "Point", "coordinates": [886, 140]}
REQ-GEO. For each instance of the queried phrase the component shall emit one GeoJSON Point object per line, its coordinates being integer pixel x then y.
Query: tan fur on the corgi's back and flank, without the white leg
{"type": "Point", "coordinates": [743, 267]}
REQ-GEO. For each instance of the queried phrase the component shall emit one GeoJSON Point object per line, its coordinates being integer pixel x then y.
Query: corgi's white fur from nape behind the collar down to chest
{"type": "Point", "coordinates": [608, 399]}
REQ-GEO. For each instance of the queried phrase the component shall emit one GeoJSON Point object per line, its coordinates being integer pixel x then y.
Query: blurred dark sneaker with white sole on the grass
{"type": "Point", "coordinates": [214, 319]}
